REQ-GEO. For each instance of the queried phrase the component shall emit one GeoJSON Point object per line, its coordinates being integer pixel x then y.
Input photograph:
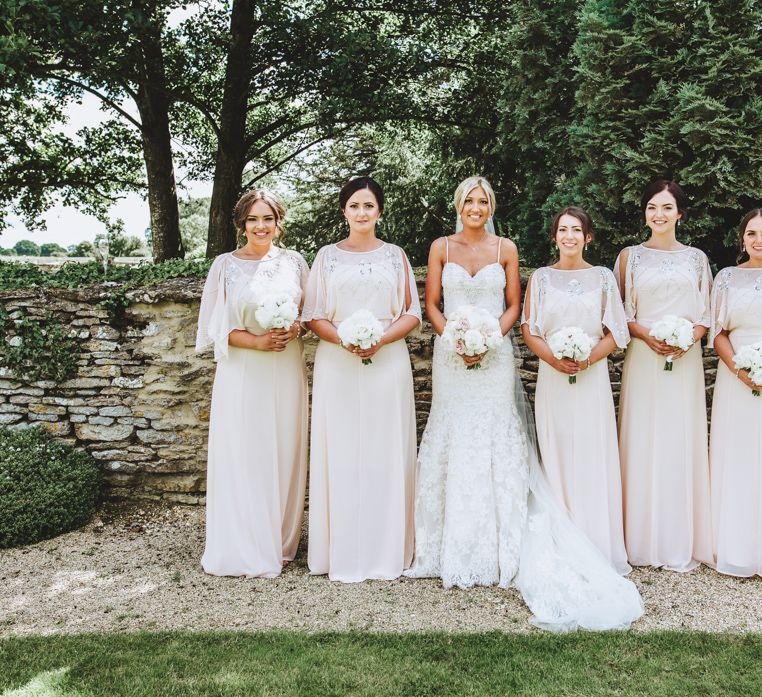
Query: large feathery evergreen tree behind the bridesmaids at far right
{"type": "Point", "coordinates": [668, 90]}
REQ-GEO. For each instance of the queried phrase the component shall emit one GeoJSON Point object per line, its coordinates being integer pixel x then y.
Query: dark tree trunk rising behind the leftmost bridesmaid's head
{"type": "Point", "coordinates": [231, 145]}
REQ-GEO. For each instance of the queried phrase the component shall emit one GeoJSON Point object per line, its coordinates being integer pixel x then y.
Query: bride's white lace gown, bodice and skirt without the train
{"type": "Point", "coordinates": [471, 490]}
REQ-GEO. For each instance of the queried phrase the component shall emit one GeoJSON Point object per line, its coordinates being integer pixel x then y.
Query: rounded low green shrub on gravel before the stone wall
{"type": "Point", "coordinates": [46, 487]}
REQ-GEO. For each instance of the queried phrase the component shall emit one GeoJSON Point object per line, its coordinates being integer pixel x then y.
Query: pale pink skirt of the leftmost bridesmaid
{"type": "Point", "coordinates": [257, 466]}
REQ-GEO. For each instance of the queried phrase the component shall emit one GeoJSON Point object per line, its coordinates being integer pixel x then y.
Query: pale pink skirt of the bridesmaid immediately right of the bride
{"type": "Point", "coordinates": [576, 434]}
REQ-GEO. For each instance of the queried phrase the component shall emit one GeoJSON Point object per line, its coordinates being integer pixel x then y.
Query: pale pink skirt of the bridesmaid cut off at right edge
{"type": "Point", "coordinates": [736, 465]}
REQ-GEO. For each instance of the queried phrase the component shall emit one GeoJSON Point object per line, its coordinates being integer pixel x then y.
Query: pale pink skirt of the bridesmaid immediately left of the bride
{"type": "Point", "coordinates": [362, 464]}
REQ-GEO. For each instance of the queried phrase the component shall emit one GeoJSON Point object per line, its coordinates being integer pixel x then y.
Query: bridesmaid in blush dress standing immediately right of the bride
{"type": "Point", "coordinates": [576, 423]}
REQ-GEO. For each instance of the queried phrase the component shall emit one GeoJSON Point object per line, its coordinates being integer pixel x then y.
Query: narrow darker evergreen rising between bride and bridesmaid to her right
{"type": "Point", "coordinates": [535, 103]}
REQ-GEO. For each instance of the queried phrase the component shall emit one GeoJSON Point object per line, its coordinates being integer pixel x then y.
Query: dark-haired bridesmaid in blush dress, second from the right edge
{"type": "Point", "coordinates": [663, 444]}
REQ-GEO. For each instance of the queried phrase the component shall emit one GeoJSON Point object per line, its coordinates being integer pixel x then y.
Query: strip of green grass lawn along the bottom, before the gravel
{"type": "Point", "coordinates": [284, 663]}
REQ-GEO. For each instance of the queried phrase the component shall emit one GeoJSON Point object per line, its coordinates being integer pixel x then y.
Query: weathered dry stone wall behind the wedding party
{"type": "Point", "coordinates": [139, 402]}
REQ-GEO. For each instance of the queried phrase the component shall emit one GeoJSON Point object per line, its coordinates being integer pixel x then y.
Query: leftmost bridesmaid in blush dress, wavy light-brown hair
{"type": "Point", "coordinates": [257, 466]}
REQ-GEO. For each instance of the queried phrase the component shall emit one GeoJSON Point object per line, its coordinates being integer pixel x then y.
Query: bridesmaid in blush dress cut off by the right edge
{"type": "Point", "coordinates": [736, 442]}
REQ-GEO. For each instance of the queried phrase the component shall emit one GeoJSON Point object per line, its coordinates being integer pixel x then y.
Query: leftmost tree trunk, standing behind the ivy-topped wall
{"type": "Point", "coordinates": [153, 106]}
